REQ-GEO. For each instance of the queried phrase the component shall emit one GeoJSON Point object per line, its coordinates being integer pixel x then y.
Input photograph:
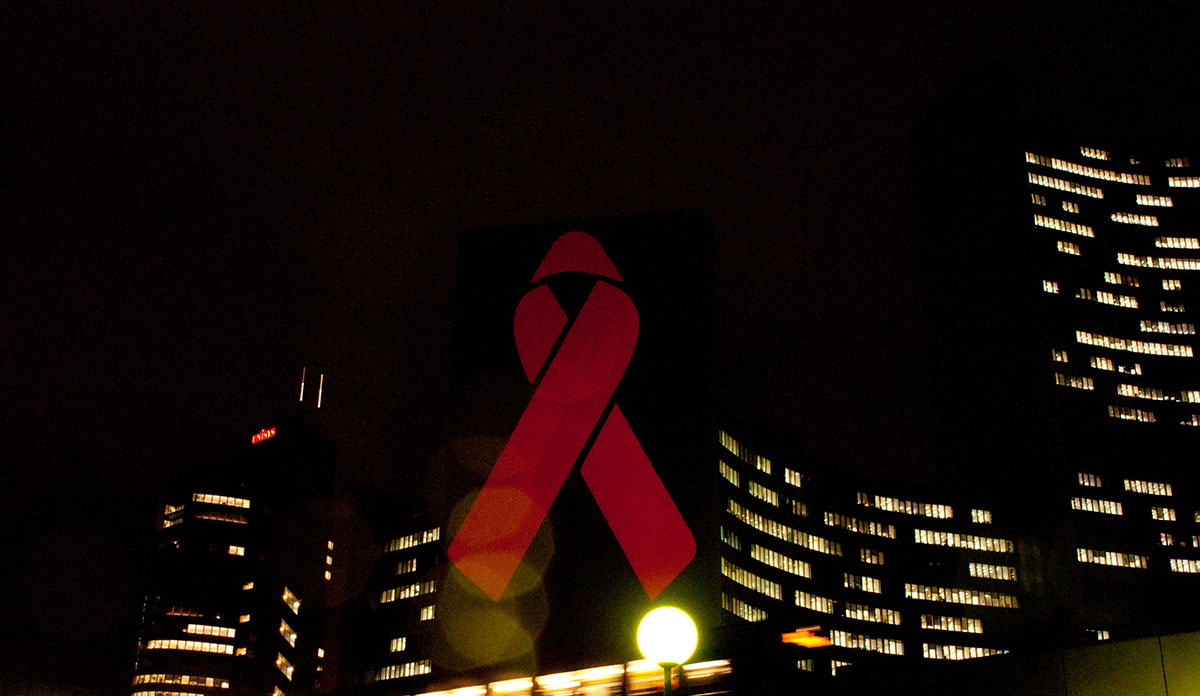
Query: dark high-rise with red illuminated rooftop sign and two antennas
{"type": "Point", "coordinates": [244, 556]}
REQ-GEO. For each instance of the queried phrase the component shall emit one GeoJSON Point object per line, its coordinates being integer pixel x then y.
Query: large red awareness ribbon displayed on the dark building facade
{"type": "Point", "coordinates": [569, 405]}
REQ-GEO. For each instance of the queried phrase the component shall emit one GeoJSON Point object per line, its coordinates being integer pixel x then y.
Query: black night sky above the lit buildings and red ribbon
{"type": "Point", "coordinates": [201, 202]}
